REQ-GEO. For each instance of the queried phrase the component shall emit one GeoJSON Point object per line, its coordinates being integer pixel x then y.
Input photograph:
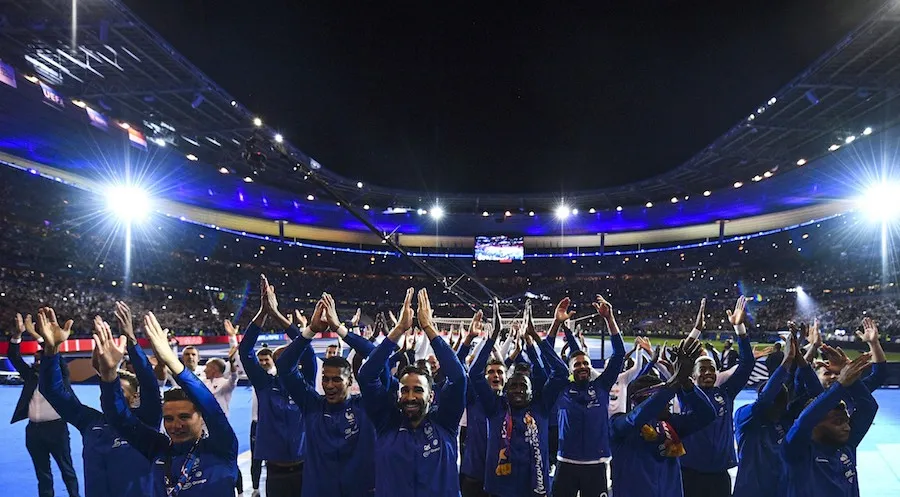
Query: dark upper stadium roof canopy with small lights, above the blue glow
{"type": "Point", "coordinates": [127, 69]}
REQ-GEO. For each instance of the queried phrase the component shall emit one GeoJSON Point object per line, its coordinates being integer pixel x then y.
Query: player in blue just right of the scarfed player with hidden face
{"type": "Point", "coordinates": [710, 452]}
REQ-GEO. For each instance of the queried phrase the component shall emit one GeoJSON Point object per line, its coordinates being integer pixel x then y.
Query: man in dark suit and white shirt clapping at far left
{"type": "Point", "coordinates": [46, 434]}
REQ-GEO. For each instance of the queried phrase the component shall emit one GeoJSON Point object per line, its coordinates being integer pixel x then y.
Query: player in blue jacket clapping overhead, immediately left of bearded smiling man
{"type": "Point", "coordinates": [340, 437]}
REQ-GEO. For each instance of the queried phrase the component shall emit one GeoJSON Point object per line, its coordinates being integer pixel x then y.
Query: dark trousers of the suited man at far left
{"type": "Point", "coordinates": [47, 439]}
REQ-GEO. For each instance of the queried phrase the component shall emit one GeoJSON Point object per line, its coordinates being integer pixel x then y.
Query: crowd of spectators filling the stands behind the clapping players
{"type": "Point", "coordinates": [60, 248]}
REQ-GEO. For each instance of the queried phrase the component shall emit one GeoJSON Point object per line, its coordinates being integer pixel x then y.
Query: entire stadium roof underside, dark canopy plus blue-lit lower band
{"type": "Point", "coordinates": [121, 68]}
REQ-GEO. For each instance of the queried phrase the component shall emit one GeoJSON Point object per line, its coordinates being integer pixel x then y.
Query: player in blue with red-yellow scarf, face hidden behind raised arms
{"type": "Point", "coordinates": [646, 442]}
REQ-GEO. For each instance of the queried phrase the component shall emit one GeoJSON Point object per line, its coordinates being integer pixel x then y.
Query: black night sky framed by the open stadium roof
{"type": "Point", "coordinates": [501, 96]}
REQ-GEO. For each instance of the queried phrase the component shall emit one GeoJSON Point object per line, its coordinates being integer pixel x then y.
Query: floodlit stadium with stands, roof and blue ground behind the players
{"type": "Point", "coordinates": [130, 175]}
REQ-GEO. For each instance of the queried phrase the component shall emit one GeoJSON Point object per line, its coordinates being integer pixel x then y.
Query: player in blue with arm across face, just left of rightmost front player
{"type": "Point", "coordinates": [760, 427]}
